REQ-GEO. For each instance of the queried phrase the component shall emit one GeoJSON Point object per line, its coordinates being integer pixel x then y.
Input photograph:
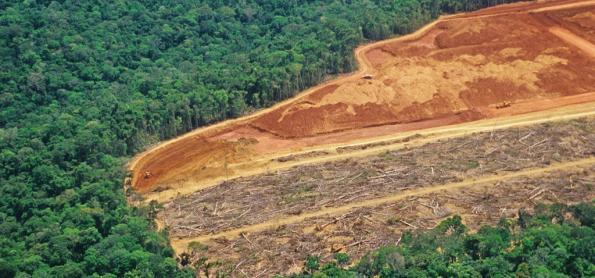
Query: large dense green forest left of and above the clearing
{"type": "Point", "coordinates": [85, 84]}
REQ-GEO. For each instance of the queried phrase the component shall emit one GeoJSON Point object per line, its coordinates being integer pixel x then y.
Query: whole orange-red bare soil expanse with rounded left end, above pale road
{"type": "Point", "coordinates": [455, 70]}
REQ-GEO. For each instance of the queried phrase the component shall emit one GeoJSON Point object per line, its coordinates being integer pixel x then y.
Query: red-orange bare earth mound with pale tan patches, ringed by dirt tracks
{"type": "Point", "coordinates": [458, 67]}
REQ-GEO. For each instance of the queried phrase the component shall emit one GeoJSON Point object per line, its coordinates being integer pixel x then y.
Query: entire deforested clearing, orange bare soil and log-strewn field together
{"type": "Point", "coordinates": [476, 114]}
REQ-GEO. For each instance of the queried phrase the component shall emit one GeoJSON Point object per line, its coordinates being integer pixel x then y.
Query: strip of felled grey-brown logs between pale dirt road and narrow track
{"type": "Point", "coordinates": [259, 198]}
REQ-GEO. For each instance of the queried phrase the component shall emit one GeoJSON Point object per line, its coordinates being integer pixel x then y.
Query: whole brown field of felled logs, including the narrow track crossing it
{"type": "Point", "coordinates": [269, 223]}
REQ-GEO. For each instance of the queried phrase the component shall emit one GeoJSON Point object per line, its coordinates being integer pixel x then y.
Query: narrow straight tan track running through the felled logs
{"type": "Point", "coordinates": [180, 245]}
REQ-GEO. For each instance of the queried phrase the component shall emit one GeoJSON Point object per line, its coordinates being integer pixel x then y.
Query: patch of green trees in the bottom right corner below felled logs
{"type": "Point", "coordinates": [558, 241]}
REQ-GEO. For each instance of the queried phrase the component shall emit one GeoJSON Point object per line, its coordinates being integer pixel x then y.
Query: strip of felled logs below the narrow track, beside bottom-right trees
{"type": "Point", "coordinates": [282, 250]}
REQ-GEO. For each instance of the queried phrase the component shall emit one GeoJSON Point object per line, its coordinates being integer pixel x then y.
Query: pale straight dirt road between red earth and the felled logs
{"type": "Point", "coordinates": [271, 163]}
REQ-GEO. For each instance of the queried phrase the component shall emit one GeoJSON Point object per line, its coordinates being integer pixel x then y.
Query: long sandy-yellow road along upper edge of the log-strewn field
{"type": "Point", "coordinates": [403, 139]}
